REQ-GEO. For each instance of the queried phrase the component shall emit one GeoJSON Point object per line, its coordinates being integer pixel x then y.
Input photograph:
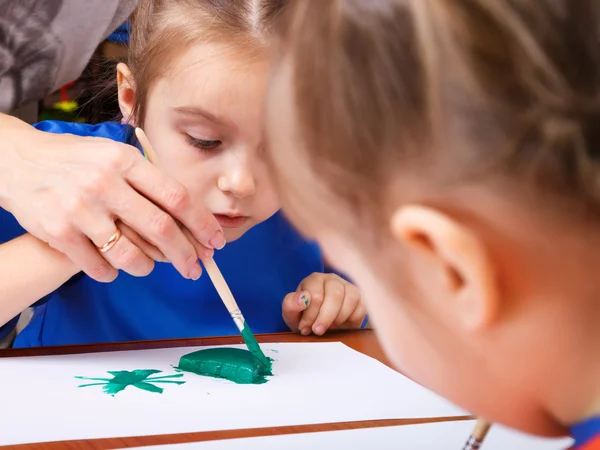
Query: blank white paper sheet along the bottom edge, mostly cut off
{"type": "Point", "coordinates": [432, 436]}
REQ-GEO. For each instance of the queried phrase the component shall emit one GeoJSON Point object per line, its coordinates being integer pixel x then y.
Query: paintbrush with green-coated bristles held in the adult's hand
{"type": "Point", "coordinates": [215, 275]}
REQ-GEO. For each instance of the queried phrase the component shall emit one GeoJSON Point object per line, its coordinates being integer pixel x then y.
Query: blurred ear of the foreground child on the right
{"type": "Point", "coordinates": [455, 259]}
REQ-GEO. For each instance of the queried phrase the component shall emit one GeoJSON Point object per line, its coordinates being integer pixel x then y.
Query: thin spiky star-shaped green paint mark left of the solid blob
{"type": "Point", "coordinates": [140, 379]}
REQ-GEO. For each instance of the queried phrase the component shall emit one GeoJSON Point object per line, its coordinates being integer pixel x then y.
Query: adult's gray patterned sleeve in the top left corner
{"type": "Point", "coordinates": [47, 43]}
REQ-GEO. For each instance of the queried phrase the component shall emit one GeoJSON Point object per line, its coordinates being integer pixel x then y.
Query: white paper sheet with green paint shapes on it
{"type": "Point", "coordinates": [313, 383]}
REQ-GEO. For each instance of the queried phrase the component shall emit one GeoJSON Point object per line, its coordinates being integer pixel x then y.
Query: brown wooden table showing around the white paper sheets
{"type": "Point", "coordinates": [362, 341]}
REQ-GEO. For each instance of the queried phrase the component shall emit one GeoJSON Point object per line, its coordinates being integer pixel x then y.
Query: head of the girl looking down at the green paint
{"type": "Point", "coordinates": [195, 82]}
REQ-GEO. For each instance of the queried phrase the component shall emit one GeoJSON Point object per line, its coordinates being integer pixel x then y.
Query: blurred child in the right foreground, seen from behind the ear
{"type": "Point", "coordinates": [446, 156]}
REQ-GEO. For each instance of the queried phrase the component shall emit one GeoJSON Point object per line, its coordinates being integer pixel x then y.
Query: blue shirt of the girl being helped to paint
{"type": "Point", "coordinates": [261, 267]}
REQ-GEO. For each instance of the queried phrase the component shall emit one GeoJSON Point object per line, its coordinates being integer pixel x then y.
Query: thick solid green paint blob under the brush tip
{"type": "Point", "coordinates": [234, 364]}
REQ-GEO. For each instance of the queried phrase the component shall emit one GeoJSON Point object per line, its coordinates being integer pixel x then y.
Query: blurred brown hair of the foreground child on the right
{"type": "Point", "coordinates": [503, 92]}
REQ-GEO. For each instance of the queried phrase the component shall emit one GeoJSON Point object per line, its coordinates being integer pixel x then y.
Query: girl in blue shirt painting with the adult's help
{"type": "Point", "coordinates": [195, 83]}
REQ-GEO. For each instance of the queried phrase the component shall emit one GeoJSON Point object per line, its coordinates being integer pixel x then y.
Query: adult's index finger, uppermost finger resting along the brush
{"type": "Point", "coordinates": [174, 198]}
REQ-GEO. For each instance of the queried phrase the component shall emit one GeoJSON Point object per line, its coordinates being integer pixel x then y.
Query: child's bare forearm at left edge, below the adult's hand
{"type": "Point", "coordinates": [29, 270]}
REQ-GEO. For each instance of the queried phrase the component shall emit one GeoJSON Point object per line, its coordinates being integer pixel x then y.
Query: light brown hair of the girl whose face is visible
{"type": "Point", "coordinates": [162, 29]}
